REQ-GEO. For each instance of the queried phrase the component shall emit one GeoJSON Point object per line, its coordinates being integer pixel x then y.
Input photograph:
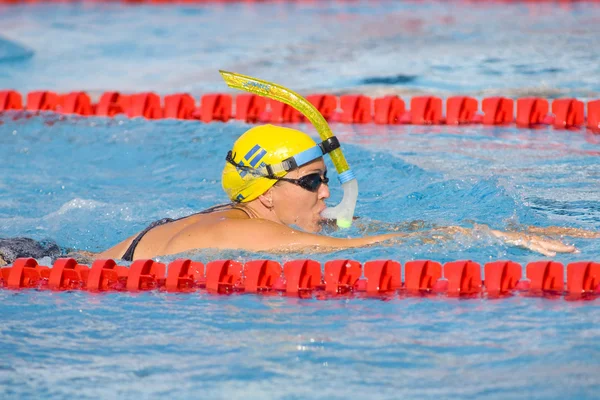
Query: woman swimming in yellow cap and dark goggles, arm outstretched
{"type": "Point", "coordinates": [265, 206]}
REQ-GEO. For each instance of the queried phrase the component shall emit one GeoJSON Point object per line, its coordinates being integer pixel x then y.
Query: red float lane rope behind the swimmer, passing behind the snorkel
{"type": "Point", "coordinates": [531, 112]}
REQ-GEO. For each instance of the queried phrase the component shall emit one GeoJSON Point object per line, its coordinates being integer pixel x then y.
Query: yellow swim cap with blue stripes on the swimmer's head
{"type": "Point", "coordinates": [259, 147]}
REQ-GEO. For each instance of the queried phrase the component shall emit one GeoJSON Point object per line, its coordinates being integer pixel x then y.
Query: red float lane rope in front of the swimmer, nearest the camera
{"type": "Point", "coordinates": [304, 278]}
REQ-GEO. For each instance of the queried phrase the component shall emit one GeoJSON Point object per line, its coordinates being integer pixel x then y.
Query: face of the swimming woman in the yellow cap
{"type": "Point", "coordinates": [295, 205]}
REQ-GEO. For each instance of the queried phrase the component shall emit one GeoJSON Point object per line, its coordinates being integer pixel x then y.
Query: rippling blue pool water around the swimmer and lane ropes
{"type": "Point", "coordinates": [87, 183]}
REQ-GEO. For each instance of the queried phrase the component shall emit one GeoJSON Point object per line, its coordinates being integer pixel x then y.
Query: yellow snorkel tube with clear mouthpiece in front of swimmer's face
{"type": "Point", "coordinates": [343, 213]}
